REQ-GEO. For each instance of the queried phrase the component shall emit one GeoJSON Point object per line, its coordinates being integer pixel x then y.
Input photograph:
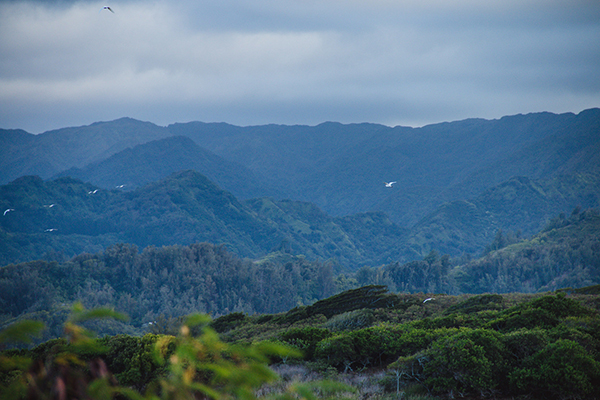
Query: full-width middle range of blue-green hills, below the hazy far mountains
{"type": "Point", "coordinates": [64, 217]}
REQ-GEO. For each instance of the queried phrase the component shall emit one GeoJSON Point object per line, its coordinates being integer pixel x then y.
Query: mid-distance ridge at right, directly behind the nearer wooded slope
{"type": "Point", "coordinates": [521, 205]}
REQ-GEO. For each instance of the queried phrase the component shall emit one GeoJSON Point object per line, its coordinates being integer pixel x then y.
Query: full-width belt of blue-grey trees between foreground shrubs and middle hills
{"type": "Point", "coordinates": [162, 284]}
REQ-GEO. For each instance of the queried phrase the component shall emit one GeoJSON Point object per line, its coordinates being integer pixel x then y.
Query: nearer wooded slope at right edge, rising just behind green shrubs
{"type": "Point", "coordinates": [565, 254]}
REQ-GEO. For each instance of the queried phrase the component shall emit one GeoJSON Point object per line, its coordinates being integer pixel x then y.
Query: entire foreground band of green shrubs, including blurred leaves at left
{"type": "Point", "coordinates": [381, 344]}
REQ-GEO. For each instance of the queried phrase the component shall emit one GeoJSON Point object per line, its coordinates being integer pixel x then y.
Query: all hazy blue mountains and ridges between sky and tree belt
{"type": "Point", "coordinates": [308, 187]}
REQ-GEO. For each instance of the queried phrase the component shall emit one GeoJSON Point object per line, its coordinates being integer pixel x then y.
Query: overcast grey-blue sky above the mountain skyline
{"type": "Point", "coordinates": [250, 62]}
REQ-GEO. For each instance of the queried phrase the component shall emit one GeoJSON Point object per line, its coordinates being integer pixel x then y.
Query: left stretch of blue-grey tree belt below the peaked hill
{"type": "Point", "coordinates": [169, 282]}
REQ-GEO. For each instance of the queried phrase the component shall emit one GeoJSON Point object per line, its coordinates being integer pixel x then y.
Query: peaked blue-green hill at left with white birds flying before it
{"type": "Point", "coordinates": [68, 216]}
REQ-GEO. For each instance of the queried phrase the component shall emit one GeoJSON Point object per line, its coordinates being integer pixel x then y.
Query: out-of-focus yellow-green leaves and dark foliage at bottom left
{"type": "Point", "coordinates": [165, 367]}
